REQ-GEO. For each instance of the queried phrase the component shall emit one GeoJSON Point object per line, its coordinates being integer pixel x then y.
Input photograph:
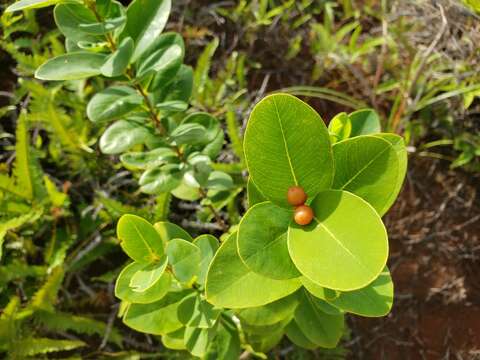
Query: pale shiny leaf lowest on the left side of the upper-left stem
{"type": "Point", "coordinates": [161, 180]}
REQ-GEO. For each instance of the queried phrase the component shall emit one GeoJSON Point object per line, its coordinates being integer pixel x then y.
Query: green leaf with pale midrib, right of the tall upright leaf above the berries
{"type": "Point", "coordinates": [367, 166]}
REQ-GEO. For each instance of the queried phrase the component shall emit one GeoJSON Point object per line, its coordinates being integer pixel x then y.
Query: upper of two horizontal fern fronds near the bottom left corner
{"type": "Point", "coordinates": [59, 321]}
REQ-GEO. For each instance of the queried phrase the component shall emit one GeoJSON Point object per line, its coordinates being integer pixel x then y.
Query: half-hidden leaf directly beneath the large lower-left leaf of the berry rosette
{"type": "Point", "coordinates": [271, 313]}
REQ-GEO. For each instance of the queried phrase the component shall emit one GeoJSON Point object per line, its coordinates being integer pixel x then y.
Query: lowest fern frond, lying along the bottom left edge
{"type": "Point", "coordinates": [38, 346]}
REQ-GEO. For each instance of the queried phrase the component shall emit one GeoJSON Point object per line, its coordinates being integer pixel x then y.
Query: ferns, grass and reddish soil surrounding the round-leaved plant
{"type": "Point", "coordinates": [415, 62]}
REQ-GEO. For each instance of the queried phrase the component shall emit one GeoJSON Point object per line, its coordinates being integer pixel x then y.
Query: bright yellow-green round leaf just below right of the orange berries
{"type": "Point", "coordinates": [345, 247]}
